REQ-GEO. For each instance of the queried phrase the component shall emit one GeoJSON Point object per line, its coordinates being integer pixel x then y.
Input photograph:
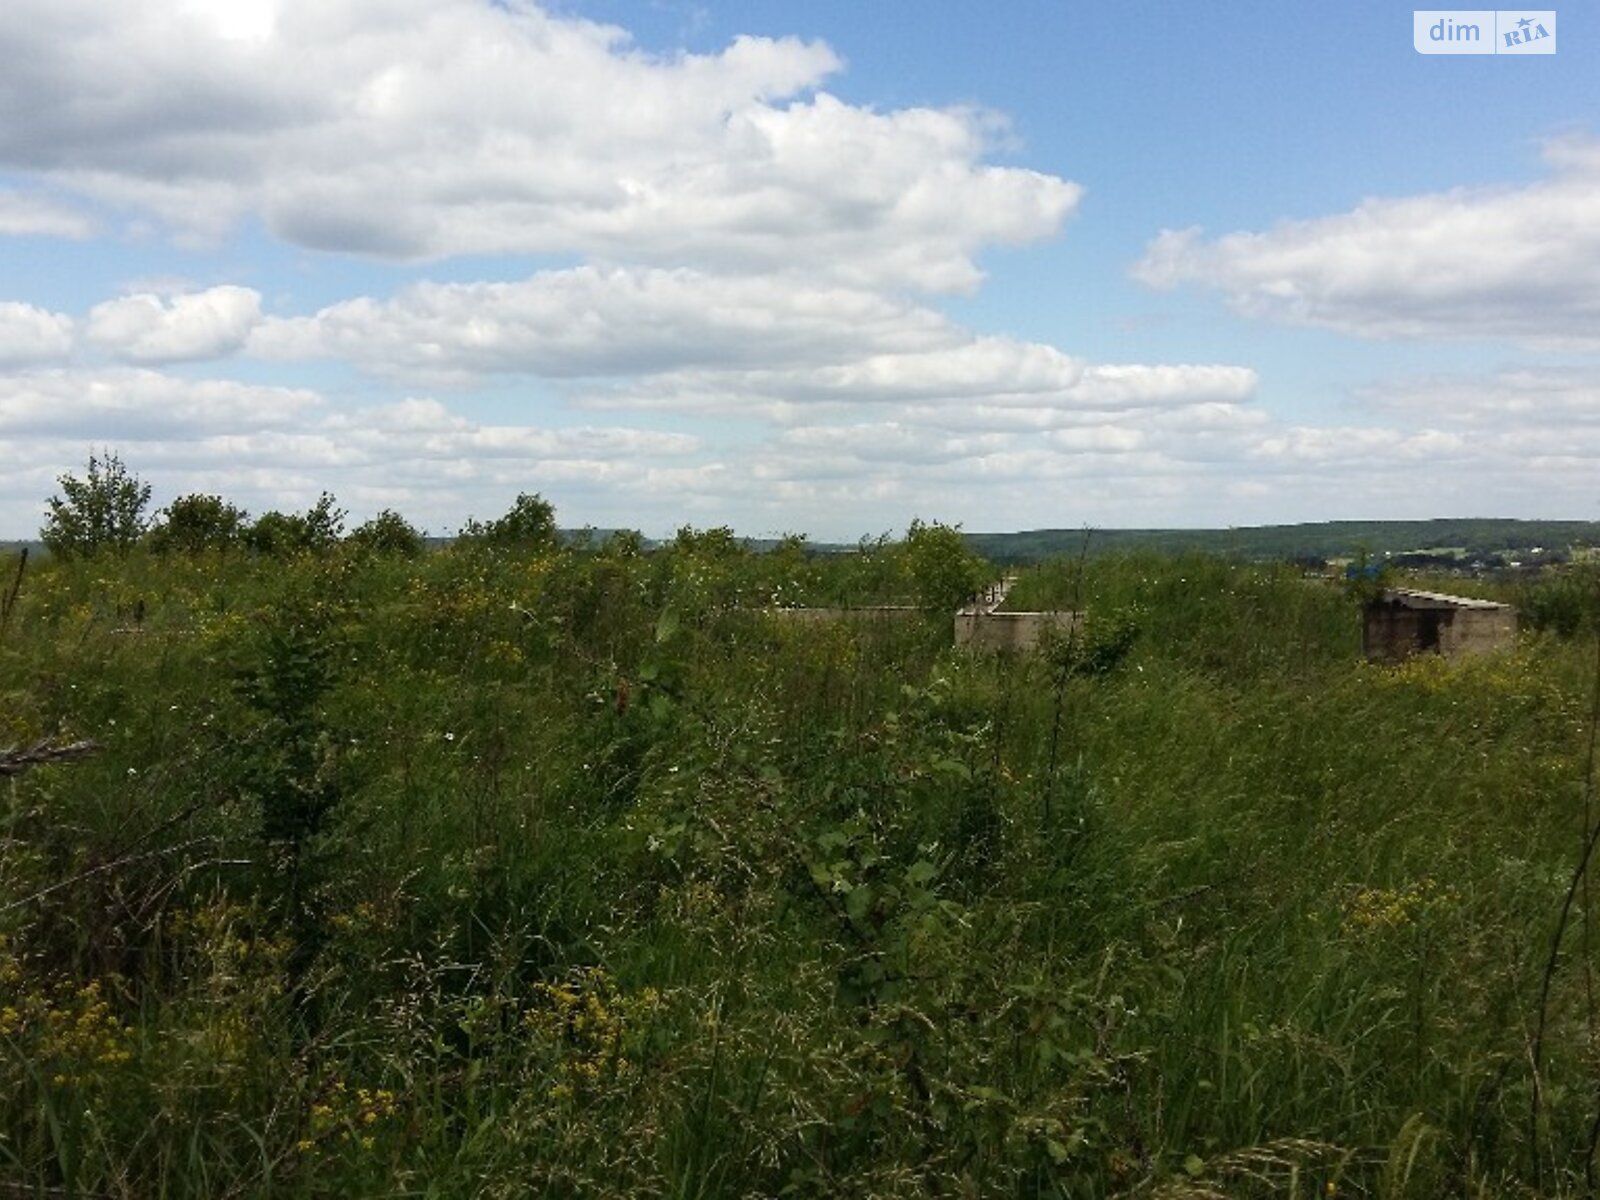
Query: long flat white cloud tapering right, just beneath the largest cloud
{"type": "Point", "coordinates": [695, 342]}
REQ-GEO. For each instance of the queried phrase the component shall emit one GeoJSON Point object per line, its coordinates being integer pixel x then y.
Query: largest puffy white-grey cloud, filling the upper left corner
{"type": "Point", "coordinates": [433, 129]}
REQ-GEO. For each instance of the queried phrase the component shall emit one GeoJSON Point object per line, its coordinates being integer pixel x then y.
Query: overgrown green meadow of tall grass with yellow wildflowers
{"type": "Point", "coordinates": [580, 873]}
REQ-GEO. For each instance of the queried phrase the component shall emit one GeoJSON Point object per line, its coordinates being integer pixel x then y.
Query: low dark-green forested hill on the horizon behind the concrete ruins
{"type": "Point", "coordinates": [1324, 540]}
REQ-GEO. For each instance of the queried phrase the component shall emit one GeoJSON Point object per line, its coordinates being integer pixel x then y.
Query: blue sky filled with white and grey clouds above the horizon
{"type": "Point", "coordinates": [801, 268]}
